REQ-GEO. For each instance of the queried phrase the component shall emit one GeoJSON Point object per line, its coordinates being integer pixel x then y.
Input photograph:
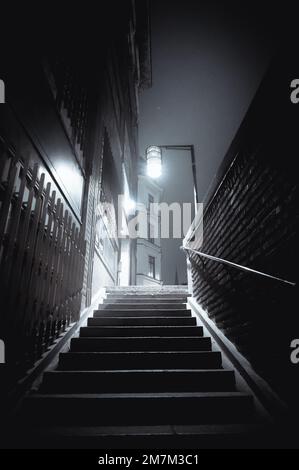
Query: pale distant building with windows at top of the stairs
{"type": "Point", "coordinates": [149, 247]}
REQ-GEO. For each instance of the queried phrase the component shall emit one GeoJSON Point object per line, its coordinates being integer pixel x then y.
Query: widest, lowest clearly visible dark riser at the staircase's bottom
{"type": "Point", "coordinates": [139, 409]}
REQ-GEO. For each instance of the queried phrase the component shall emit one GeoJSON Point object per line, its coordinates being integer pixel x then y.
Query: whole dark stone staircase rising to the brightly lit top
{"type": "Point", "coordinates": [141, 374]}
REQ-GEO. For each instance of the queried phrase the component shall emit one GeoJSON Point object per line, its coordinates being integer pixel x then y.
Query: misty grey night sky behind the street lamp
{"type": "Point", "coordinates": [208, 61]}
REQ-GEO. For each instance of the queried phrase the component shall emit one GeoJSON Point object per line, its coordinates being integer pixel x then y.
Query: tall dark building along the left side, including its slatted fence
{"type": "Point", "coordinates": [68, 143]}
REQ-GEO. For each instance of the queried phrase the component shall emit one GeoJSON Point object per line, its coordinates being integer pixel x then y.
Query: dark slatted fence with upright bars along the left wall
{"type": "Point", "coordinates": [42, 254]}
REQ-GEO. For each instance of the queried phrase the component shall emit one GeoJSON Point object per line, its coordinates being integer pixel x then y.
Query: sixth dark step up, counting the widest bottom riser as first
{"type": "Point", "coordinates": [141, 321]}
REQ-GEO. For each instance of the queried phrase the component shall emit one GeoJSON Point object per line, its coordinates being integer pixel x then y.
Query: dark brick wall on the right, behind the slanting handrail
{"type": "Point", "coordinates": [251, 218]}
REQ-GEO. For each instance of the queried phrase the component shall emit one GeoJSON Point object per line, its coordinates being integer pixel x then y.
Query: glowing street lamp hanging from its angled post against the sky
{"type": "Point", "coordinates": [154, 163]}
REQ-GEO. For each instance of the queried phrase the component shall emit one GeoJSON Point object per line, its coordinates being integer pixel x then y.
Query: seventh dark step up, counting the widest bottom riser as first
{"type": "Point", "coordinates": [142, 313]}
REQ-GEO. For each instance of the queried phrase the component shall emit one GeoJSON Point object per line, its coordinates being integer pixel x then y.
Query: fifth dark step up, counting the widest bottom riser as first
{"type": "Point", "coordinates": [140, 331]}
